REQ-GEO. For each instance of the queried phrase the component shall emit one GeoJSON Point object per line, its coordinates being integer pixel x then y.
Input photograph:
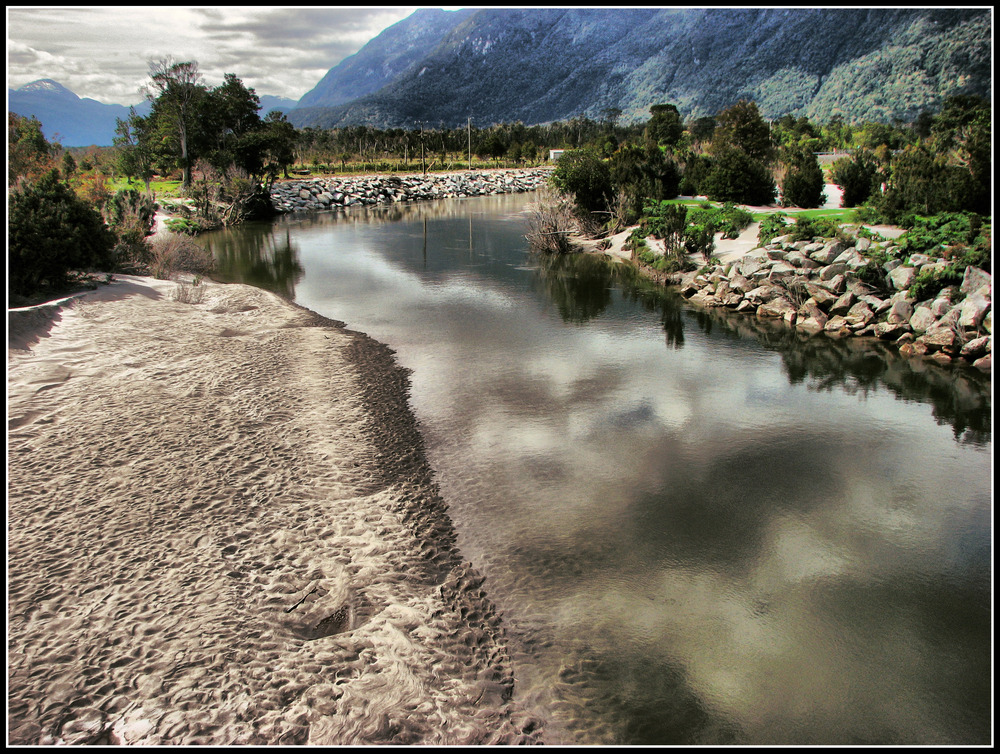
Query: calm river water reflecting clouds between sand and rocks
{"type": "Point", "coordinates": [698, 529]}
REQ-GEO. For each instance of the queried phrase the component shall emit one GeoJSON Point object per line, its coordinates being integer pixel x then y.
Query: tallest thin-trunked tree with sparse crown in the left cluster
{"type": "Point", "coordinates": [175, 93]}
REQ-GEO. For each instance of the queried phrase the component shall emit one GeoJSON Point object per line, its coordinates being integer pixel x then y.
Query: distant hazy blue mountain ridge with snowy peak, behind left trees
{"type": "Point", "coordinates": [75, 121]}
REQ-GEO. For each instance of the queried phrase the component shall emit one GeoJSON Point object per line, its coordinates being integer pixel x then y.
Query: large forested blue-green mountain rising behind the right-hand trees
{"type": "Point", "coordinates": [544, 64]}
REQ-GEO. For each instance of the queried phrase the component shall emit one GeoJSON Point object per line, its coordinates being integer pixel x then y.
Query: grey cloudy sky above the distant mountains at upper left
{"type": "Point", "coordinates": [104, 52]}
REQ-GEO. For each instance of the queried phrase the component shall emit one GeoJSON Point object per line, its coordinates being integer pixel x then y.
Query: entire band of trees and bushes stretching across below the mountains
{"type": "Point", "coordinates": [226, 156]}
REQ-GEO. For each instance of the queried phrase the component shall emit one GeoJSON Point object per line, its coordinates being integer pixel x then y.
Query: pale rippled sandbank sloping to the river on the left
{"type": "Point", "coordinates": [223, 530]}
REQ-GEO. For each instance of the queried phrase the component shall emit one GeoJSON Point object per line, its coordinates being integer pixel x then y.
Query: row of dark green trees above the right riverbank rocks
{"type": "Point", "coordinates": [940, 163]}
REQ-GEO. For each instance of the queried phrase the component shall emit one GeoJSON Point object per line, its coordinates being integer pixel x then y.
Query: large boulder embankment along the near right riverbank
{"type": "Point", "coordinates": [815, 287]}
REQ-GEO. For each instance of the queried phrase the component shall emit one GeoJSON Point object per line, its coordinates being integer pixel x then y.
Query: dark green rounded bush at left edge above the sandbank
{"type": "Point", "coordinates": [52, 231]}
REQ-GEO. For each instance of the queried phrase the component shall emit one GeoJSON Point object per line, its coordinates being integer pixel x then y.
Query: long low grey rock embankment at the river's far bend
{"type": "Point", "coordinates": [339, 193]}
